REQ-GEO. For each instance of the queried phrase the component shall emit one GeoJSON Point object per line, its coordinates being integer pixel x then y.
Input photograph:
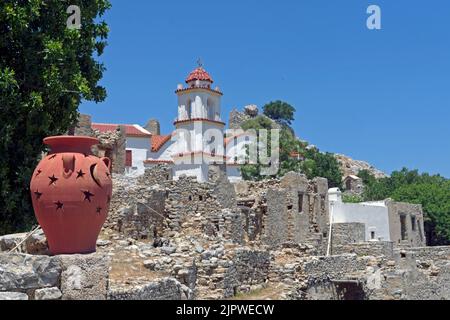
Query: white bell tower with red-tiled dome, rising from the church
{"type": "Point", "coordinates": [199, 124]}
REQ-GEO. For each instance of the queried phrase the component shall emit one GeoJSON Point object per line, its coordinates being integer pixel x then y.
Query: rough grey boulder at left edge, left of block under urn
{"type": "Point", "coordinates": [21, 272]}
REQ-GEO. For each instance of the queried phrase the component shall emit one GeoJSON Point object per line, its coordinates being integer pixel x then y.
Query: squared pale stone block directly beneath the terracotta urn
{"type": "Point", "coordinates": [84, 277]}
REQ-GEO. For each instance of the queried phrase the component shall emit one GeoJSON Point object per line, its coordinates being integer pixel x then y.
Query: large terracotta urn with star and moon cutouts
{"type": "Point", "coordinates": [71, 191]}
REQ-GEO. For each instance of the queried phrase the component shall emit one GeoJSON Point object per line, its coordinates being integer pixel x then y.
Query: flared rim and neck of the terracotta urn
{"type": "Point", "coordinates": [66, 144]}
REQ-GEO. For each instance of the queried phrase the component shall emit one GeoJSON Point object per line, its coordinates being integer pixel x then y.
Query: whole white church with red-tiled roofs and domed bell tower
{"type": "Point", "coordinates": [199, 138]}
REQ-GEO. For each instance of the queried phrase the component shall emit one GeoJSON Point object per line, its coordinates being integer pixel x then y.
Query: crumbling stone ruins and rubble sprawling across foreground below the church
{"type": "Point", "coordinates": [182, 239]}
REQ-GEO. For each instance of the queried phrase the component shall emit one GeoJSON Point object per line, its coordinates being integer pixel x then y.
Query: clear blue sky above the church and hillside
{"type": "Point", "coordinates": [379, 96]}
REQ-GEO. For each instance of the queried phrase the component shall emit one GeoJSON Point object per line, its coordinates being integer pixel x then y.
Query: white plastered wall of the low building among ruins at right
{"type": "Point", "coordinates": [375, 217]}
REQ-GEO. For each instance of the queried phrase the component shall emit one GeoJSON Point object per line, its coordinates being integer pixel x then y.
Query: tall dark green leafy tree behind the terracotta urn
{"type": "Point", "coordinates": [46, 70]}
